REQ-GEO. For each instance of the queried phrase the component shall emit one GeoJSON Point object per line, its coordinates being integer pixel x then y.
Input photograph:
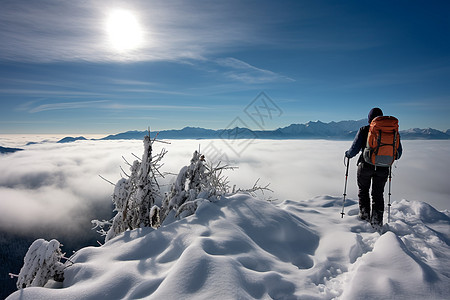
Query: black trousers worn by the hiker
{"type": "Point", "coordinates": [368, 174]}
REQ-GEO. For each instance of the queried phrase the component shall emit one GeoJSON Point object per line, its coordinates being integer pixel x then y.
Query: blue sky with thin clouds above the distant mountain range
{"type": "Point", "coordinates": [204, 63]}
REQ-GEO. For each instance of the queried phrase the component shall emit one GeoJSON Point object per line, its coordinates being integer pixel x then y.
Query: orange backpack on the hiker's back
{"type": "Point", "coordinates": [383, 141]}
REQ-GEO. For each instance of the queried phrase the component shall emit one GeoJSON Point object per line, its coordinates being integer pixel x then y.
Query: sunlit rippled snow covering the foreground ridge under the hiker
{"type": "Point", "coordinates": [244, 248]}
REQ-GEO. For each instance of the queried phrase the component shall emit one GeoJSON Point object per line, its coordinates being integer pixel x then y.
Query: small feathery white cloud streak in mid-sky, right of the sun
{"type": "Point", "coordinates": [245, 72]}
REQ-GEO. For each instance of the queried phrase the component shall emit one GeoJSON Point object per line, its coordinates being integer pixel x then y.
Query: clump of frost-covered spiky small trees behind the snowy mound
{"type": "Point", "coordinates": [138, 201]}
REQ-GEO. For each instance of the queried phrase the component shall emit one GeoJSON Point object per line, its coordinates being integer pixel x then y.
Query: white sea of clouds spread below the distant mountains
{"type": "Point", "coordinates": [58, 185]}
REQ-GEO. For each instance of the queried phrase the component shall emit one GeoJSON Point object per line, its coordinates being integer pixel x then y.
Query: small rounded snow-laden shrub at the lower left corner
{"type": "Point", "coordinates": [41, 263]}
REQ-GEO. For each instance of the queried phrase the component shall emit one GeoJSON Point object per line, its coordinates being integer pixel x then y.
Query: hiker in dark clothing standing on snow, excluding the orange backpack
{"type": "Point", "coordinates": [369, 173]}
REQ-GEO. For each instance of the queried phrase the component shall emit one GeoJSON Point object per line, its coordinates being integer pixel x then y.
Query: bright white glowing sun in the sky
{"type": "Point", "coordinates": [124, 30]}
